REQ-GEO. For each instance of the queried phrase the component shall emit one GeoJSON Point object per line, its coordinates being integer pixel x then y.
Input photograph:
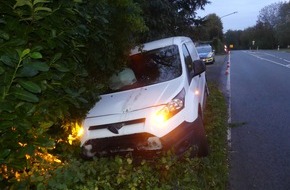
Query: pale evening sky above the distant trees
{"type": "Point", "coordinates": [246, 16]}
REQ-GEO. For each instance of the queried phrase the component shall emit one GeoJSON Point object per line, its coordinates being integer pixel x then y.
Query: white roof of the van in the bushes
{"type": "Point", "coordinates": [160, 43]}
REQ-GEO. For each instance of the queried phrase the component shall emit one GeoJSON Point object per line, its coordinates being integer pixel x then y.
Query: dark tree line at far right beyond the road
{"type": "Point", "coordinates": [271, 30]}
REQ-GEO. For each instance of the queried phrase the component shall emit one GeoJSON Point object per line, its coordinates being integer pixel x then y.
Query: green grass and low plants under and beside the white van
{"type": "Point", "coordinates": [166, 172]}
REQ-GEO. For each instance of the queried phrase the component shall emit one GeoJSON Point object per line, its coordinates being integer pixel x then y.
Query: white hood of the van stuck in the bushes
{"type": "Point", "coordinates": [136, 99]}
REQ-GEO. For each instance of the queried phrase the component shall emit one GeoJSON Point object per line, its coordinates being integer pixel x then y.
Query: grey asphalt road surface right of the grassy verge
{"type": "Point", "coordinates": [259, 104]}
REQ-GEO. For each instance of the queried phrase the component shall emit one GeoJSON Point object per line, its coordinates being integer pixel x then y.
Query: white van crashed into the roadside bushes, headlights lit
{"type": "Point", "coordinates": [155, 104]}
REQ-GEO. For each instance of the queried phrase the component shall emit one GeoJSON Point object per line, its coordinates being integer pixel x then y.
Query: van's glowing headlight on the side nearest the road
{"type": "Point", "coordinates": [170, 109]}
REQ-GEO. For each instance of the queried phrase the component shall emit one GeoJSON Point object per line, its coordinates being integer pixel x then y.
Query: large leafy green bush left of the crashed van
{"type": "Point", "coordinates": [55, 58]}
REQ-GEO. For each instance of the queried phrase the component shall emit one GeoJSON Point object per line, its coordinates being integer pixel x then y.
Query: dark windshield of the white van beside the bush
{"type": "Point", "coordinates": [147, 68]}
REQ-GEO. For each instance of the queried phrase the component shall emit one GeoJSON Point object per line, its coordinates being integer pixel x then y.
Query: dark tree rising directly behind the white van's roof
{"type": "Point", "coordinates": [169, 18]}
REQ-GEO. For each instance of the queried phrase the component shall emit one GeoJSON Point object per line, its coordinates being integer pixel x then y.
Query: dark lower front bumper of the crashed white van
{"type": "Point", "coordinates": [178, 139]}
